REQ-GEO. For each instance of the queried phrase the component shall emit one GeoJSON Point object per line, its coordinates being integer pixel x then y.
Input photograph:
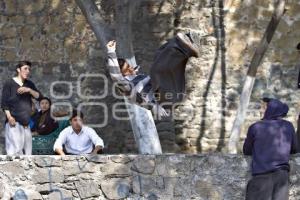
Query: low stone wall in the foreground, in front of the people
{"type": "Point", "coordinates": [203, 177]}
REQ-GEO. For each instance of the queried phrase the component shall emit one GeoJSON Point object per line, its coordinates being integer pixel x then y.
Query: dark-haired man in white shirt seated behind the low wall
{"type": "Point", "coordinates": [78, 139]}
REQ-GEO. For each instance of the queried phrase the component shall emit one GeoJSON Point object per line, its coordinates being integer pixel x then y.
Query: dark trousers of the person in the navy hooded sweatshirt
{"type": "Point", "coordinates": [270, 186]}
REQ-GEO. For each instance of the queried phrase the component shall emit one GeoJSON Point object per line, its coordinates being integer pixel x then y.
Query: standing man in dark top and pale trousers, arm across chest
{"type": "Point", "coordinates": [16, 102]}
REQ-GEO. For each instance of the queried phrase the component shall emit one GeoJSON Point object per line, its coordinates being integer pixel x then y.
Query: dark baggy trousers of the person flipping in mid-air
{"type": "Point", "coordinates": [168, 70]}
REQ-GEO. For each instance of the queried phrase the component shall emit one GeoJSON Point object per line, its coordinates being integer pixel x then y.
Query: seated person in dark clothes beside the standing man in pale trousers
{"type": "Point", "coordinates": [42, 121]}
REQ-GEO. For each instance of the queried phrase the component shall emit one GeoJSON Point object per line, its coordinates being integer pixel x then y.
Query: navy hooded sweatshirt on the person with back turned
{"type": "Point", "coordinates": [271, 140]}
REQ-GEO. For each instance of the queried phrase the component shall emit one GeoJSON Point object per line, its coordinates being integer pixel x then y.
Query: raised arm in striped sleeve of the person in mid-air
{"type": "Point", "coordinates": [114, 69]}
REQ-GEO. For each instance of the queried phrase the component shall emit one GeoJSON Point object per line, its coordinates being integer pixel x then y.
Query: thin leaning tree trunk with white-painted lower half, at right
{"type": "Point", "coordinates": [250, 78]}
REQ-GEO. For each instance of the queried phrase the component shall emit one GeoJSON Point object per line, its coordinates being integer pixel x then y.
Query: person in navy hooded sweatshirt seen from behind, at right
{"type": "Point", "coordinates": [270, 142]}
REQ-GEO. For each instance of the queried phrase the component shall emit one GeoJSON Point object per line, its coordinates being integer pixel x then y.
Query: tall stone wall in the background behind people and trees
{"type": "Point", "coordinates": [54, 35]}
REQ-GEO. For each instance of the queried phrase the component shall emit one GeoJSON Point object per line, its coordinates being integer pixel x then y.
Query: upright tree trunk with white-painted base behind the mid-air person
{"type": "Point", "coordinates": [141, 119]}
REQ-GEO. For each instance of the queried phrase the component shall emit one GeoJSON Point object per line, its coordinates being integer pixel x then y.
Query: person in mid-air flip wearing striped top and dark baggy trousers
{"type": "Point", "coordinates": [167, 74]}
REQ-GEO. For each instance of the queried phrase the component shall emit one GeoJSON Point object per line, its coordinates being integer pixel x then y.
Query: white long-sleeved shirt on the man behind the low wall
{"type": "Point", "coordinates": [81, 143]}
